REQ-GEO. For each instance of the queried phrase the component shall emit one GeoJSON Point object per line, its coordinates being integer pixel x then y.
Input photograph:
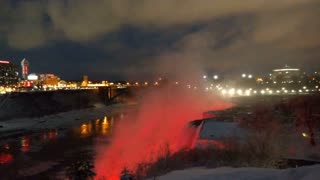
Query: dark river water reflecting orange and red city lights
{"type": "Point", "coordinates": [46, 154]}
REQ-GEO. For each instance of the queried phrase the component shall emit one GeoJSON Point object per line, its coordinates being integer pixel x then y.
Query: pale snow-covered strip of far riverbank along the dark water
{"type": "Point", "coordinates": [59, 120]}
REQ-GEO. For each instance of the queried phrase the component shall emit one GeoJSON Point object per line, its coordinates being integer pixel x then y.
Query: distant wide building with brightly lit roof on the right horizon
{"type": "Point", "coordinates": [286, 75]}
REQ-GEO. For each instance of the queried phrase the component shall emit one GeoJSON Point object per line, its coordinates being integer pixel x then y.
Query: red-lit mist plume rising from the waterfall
{"type": "Point", "coordinates": [161, 120]}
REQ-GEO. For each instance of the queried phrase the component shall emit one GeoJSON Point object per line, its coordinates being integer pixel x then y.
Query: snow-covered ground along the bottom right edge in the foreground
{"type": "Point", "coordinates": [225, 173]}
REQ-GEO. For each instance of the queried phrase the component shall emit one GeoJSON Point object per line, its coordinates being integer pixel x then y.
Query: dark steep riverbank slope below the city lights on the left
{"type": "Point", "coordinates": [40, 104]}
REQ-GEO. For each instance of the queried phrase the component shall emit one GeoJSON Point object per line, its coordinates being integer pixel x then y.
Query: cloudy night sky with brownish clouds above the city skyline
{"type": "Point", "coordinates": [143, 39]}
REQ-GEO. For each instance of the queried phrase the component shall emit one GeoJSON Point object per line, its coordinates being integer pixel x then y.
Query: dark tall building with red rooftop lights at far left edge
{"type": "Point", "coordinates": [9, 75]}
